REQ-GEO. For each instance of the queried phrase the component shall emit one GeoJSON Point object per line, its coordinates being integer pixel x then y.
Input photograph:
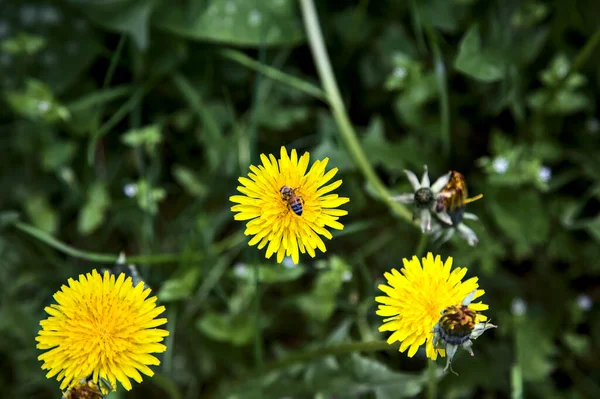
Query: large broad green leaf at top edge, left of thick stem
{"type": "Point", "coordinates": [238, 22]}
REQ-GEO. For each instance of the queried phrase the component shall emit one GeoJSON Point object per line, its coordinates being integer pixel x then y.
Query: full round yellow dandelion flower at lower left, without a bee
{"type": "Point", "coordinates": [101, 327]}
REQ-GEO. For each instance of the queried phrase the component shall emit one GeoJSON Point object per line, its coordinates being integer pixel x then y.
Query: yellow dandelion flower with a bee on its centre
{"type": "Point", "coordinates": [288, 208]}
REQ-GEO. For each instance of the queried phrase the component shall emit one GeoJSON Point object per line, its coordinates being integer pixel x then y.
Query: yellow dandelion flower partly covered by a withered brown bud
{"type": "Point", "coordinates": [416, 298]}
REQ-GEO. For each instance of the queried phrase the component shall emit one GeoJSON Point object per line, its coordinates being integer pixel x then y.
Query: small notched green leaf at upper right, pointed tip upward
{"type": "Point", "coordinates": [478, 62]}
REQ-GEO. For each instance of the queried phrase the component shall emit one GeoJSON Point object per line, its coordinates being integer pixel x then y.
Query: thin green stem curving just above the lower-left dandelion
{"type": "Point", "coordinates": [46, 238]}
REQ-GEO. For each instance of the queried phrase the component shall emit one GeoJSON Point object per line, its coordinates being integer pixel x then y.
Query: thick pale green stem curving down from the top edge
{"type": "Point", "coordinates": [321, 58]}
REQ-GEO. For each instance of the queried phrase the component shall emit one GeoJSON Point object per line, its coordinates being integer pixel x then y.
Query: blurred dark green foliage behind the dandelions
{"type": "Point", "coordinates": [125, 124]}
